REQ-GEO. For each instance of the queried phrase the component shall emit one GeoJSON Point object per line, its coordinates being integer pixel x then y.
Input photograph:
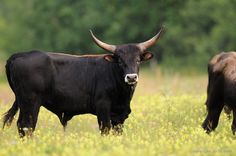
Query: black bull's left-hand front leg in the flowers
{"type": "Point", "coordinates": [104, 121]}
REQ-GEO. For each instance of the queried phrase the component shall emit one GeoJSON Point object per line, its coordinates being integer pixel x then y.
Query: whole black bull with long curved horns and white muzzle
{"type": "Point", "coordinates": [69, 85]}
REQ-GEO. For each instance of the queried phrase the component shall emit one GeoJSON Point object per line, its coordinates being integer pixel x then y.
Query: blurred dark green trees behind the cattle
{"type": "Point", "coordinates": [195, 30]}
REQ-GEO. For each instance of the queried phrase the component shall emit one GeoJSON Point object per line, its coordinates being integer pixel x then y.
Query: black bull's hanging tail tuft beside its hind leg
{"type": "Point", "coordinates": [9, 115]}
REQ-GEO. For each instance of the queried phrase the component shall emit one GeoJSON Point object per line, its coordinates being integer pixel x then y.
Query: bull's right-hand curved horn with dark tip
{"type": "Point", "coordinates": [144, 45]}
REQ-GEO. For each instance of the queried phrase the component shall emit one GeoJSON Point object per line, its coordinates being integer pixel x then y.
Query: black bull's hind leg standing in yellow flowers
{"type": "Point", "coordinates": [29, 109]}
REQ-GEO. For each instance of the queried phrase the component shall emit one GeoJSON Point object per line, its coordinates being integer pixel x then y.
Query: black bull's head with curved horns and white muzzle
{"type": "Point", "coordinates": [129, 56]}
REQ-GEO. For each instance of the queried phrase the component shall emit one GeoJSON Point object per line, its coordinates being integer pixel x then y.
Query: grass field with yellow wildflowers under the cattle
{"type": "Point", "coordinates": [167, 112]}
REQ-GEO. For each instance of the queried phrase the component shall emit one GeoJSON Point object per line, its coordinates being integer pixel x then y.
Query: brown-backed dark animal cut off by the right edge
{"type": "Point", "coordinates": [221, 90]}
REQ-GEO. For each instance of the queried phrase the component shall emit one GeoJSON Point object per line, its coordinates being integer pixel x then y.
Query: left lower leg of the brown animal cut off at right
{"type": "Point", "coordinates": [212, 118]}
